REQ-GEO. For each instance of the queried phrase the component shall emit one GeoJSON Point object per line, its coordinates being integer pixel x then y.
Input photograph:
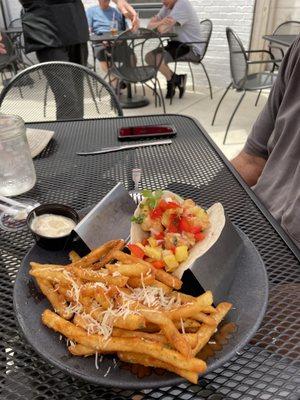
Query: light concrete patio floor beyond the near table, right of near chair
{"type": "Point", "coordinates": [199, 106]}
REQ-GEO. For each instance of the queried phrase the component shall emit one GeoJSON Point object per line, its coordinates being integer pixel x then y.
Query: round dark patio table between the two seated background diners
{"type": "Point", "coordinates": [130, 101]}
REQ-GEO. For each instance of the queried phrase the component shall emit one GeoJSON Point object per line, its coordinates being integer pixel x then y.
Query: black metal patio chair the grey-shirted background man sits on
{"type": "Point", "coordinates": [206, 27]}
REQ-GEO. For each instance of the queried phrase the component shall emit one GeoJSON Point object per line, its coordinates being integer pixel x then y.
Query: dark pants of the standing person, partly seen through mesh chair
{"type": "Point", "coordinates": [67, 87]}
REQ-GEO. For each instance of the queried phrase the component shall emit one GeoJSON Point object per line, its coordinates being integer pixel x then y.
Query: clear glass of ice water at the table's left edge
{"type": "Point", "coordinates": [17, 173]}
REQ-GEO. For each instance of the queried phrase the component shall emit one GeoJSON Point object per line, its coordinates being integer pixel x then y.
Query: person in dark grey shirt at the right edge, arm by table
{"type": "Point", "coordinates": [270, 160]}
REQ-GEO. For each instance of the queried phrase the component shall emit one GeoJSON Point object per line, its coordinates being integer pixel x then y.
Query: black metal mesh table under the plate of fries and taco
{"type": "Point", "coordinates": [267, 368]}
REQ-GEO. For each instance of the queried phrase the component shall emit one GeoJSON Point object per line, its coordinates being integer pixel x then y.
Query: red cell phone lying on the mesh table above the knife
{"type": "Point", "coordinates": [146, 131]}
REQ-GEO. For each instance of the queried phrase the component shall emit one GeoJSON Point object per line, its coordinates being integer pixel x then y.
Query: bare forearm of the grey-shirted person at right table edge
{"type": "Point", "coordinates": [249, 167]}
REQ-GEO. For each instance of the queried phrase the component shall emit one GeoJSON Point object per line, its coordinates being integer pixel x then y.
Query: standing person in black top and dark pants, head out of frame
{"type": "Point", "coordinates": [57, 30]}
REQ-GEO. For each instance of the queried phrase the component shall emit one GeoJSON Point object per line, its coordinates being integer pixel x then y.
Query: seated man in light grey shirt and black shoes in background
{"type": "Point", "coordinates": [180, 17]}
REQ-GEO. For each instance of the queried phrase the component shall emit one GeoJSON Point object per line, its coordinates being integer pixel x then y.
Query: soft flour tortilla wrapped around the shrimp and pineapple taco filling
{"type": "Point", "coordinates": [217, 223]}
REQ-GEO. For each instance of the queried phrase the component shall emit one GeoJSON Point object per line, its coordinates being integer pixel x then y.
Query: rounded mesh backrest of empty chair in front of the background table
{"type": "Point", "coordinates": [128, 55]}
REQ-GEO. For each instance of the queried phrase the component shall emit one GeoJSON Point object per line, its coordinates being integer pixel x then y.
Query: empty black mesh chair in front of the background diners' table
{"type": "Point", "coordinates": [128, 62]}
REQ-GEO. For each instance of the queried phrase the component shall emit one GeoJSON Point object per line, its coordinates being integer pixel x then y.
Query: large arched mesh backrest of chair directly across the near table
{"type": "Point", "coordinates": [59, 91]}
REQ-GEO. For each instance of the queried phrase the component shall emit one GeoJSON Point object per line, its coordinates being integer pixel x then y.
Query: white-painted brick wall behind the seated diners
{"type": "Point", "coordinates": [237, 14]}
